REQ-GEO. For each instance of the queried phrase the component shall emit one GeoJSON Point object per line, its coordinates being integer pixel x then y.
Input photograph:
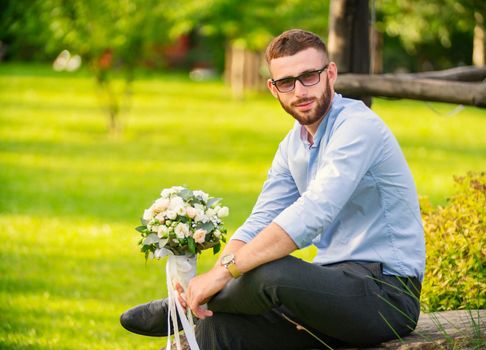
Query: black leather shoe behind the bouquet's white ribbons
{"type": "Point", "coordinates": [149, 319]}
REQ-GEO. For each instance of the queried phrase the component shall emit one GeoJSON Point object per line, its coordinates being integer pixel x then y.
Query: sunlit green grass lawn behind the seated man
{"type": "Point", "coordinates": [71, 195]}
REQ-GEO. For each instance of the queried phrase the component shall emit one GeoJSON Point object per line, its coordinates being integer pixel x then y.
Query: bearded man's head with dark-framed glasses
{"type": "Point", "coordinates": [302, 76]}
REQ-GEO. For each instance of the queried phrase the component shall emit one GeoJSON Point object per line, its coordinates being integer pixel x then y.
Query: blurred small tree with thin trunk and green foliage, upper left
{"type": "Point", "coordinates": [111, 36]}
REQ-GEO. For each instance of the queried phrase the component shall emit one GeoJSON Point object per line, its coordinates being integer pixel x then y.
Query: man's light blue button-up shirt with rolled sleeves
{"type": "Point", "coordinates": [351, 193]}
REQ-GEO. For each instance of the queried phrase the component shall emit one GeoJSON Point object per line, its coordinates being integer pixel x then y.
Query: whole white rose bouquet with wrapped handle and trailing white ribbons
{"type": "Point", "coordinates": [180, 224]}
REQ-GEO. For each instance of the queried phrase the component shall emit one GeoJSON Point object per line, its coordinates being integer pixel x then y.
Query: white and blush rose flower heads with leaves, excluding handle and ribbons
{"type": "Point", "coordinates": [183, 222]}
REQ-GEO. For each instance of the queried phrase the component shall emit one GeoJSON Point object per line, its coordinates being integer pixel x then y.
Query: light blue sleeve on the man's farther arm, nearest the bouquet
{"type": "Point", "coordinates": [279, 191]}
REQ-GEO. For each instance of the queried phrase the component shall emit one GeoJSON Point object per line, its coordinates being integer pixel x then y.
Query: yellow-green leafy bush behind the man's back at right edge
{"type": "Point", "coordinates": [455, 242]}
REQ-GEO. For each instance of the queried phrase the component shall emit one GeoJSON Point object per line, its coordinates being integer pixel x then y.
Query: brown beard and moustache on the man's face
{"type": "Point", "coordinates": [312, 116]}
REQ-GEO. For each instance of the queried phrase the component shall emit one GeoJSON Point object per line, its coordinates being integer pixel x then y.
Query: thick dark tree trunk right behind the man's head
{"type": "Point", "coordinates": [349, 43]}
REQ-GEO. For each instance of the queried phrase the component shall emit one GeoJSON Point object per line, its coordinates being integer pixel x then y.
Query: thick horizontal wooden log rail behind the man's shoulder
{"type": "Point", "coordinates": [473, 94]}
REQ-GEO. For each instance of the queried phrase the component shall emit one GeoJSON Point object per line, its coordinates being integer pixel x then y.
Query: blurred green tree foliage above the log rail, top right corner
{"type": "Point", "coordinates": [438, 32]}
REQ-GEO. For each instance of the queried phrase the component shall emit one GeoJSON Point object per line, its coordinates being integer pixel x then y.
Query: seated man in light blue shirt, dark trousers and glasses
{"type": "Point", "coordinates": [339, 181]}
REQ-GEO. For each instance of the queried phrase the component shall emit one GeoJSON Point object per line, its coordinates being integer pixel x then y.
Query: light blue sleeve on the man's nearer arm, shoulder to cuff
{"type": "Point", "coordinates": [352, 151]}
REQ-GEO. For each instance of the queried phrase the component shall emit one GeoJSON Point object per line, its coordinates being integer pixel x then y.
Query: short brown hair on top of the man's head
{"type": "Point", "coordinates": [293, 41]}
